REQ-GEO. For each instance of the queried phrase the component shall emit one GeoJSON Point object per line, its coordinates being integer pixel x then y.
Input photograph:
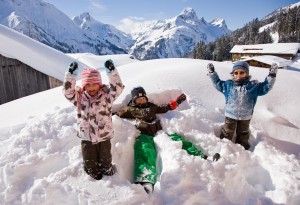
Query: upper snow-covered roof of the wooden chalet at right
{"type": "Point", "coordinates": [273, 48]}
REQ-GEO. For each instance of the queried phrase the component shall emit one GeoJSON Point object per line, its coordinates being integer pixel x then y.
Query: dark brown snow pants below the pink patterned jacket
{"type": "Point", "coordinates": [97, 158]}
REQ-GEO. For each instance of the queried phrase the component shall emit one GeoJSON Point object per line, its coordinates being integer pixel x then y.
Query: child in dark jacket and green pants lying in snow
{"type": "Point", "coordinates": [144, 112]}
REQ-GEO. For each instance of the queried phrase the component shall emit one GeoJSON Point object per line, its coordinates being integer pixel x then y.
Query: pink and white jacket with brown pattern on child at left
{"type": "Point", "coordinates": [94, 114]}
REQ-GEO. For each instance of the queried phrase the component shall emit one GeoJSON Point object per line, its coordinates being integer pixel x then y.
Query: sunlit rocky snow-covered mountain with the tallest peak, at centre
{"type": "Point", "coordinates": [175, 37]}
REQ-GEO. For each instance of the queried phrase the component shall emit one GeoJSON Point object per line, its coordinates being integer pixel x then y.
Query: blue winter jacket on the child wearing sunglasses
{"type": "Point", "coordinates": [241, 99]}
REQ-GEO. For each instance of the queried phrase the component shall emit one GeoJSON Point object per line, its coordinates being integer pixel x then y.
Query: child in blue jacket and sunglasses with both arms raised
{"type": "Point", "coordinates": [240, 95]}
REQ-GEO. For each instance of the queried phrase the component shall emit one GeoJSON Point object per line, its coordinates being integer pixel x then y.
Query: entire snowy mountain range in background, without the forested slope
{"type": "Point", "coordinates": [175, 37]}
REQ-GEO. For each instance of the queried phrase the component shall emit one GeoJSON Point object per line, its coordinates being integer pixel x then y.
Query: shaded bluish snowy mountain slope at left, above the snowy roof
{"type": "Point", "coordinates": [45, 23]}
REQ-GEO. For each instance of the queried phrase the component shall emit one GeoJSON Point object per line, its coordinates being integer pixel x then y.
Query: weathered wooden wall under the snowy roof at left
{"type": "Point", "coordinates": [19, 80]}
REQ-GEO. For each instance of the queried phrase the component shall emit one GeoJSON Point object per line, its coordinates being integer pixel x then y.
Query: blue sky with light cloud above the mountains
{"type": "Point", "coordinates": [123, 13]}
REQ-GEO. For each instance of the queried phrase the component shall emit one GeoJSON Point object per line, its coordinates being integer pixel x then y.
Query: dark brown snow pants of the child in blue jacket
{"type": "Point", "coordinates": [241, 127]}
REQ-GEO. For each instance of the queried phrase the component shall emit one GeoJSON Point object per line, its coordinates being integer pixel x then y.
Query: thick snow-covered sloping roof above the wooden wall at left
{"type": "Point", "coordinates": [33, 53]}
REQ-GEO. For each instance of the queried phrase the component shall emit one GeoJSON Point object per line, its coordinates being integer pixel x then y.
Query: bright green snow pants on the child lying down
{"type": "Point", "coordinates": [145, 156]}
